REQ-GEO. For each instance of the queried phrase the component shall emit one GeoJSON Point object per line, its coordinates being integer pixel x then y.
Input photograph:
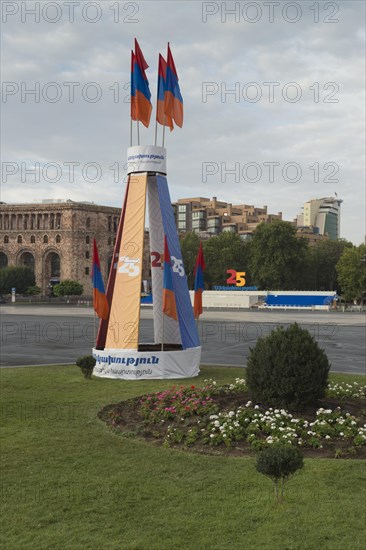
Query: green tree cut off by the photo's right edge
{"type": "Point", "coordinates": [351, 270]}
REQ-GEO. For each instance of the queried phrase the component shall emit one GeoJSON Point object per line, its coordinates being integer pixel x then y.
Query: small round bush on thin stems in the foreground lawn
{"type": "Point", "coordinates": [279, 462]}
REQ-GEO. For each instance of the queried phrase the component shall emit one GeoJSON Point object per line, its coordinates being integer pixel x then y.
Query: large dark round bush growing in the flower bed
{"type": "Point", "coordinates": [287, 369]}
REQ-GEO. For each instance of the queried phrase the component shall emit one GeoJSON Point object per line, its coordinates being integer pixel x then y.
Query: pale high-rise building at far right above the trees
{"type": "Point", "coordinates": [323, 214]}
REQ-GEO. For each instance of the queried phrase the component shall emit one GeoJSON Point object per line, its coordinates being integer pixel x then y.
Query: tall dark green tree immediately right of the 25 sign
{"type": "Point", "coordinates": [277, 257]}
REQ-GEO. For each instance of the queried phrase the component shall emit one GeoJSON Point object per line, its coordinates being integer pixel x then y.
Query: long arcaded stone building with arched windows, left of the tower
{"type": "Point", "coordinates": [55, 238]}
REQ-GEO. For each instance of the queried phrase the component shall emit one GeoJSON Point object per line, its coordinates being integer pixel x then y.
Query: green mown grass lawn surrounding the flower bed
{"type": "Point", "coordinates": [69, 482]}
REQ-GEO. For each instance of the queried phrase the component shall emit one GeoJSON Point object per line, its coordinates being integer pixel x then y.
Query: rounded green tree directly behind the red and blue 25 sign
{"type": "Point", "coordinates": [226, 251]}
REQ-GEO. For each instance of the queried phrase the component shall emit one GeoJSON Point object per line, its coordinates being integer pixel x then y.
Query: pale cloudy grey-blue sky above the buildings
{"type": "Point", "coordinates": [274, 103]}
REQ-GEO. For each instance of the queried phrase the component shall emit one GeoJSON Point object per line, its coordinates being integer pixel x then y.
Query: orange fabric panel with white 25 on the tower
{"type": "Point", "coordinates": [124, 318]}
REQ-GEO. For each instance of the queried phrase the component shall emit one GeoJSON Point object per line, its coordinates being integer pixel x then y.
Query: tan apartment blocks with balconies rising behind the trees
{"type": "Point", "coordinates": [210, 217]}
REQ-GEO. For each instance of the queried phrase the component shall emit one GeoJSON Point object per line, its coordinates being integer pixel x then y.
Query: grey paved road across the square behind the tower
{"type": "Point", "coordinates": [36, 335]}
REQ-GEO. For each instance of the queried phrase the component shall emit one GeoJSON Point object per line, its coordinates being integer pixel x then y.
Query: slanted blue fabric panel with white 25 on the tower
{"type": "Point", "coordinates": [187, 325]}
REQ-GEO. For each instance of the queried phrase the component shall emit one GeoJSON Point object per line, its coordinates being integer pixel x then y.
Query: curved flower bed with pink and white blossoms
{"type": "Point", "coordinates": [224, 419]}
